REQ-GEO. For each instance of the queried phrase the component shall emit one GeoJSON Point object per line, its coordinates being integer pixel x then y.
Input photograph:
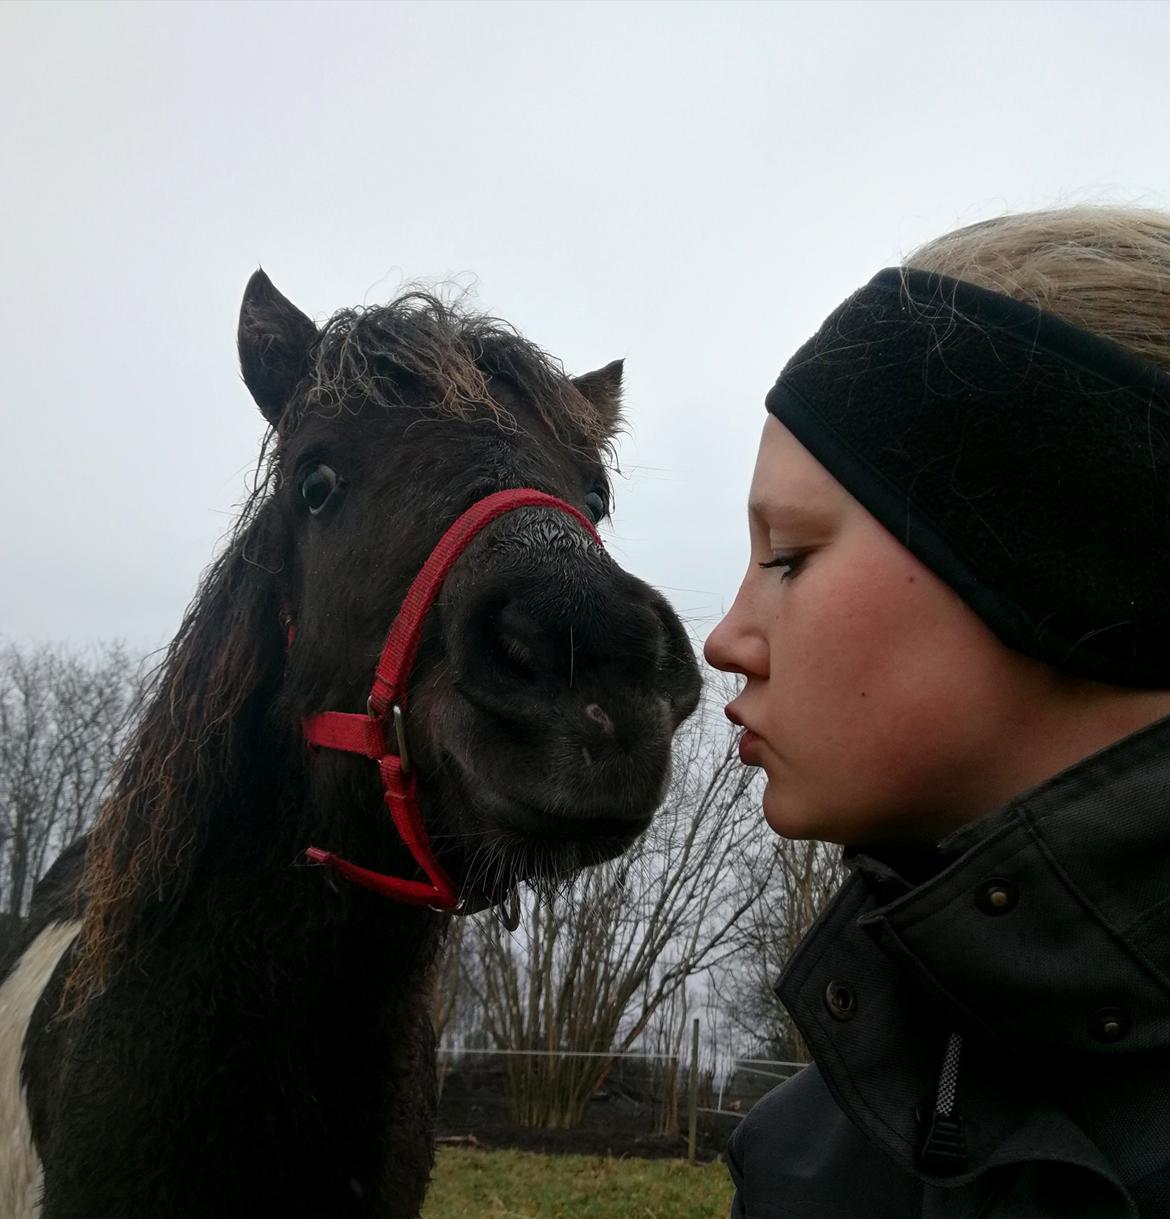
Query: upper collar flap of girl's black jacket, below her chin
{"type": "Point", "coordinates": [1049, 925]}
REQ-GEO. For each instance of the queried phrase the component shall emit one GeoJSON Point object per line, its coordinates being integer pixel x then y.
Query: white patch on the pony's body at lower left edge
{"type": "Point", "coordinates": [20, 1167]}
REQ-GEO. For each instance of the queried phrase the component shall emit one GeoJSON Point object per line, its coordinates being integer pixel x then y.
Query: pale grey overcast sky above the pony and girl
{"type": "Point", "coordinates": [689, 186]}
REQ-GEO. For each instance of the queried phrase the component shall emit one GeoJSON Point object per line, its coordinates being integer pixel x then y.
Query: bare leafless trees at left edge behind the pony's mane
{"type": "Point", "coordinates": [63, 720]}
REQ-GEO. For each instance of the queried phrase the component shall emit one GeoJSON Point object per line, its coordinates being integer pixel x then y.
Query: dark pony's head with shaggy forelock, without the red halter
{"type": "Point", "coordinates": [550, 681]}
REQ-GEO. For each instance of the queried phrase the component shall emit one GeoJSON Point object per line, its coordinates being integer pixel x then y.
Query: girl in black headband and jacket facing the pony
{"type": "Point", "coordinates": [955, 637]}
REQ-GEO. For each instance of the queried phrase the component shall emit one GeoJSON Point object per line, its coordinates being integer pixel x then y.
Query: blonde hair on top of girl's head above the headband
{"type": "Point", "coordinates": [1104, 269]}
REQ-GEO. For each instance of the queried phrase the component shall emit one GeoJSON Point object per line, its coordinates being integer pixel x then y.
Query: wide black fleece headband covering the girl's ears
{"type": "Point", "coordinates": [1026, 461]}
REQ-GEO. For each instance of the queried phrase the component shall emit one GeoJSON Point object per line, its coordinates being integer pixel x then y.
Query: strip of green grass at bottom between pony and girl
{"type": "Point", "coordinates": [473, 1184]}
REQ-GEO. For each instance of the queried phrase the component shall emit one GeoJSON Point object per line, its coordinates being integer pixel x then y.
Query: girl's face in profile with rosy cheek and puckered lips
{"type": "Point", "coordinates": [877, 703]}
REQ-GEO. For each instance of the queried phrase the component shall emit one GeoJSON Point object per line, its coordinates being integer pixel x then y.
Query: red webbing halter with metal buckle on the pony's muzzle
{"type": "Point", "coordinates": [366, 734]}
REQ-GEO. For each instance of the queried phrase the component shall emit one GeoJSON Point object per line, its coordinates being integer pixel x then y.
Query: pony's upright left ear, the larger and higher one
{"type": "Point", "coordinates": [276, 342]}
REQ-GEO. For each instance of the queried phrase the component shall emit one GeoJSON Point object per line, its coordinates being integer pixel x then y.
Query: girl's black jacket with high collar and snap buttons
{"type": "Point", "coordinates": [1032, 959]}
